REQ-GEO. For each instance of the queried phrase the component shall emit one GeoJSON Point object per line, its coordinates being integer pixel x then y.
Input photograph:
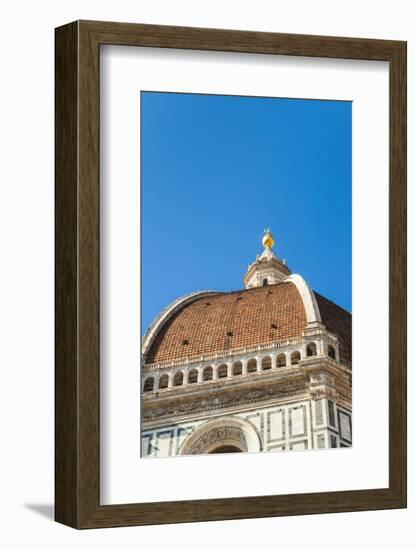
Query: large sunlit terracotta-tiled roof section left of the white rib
{"type": "Point", "coordinates": [230, 320]}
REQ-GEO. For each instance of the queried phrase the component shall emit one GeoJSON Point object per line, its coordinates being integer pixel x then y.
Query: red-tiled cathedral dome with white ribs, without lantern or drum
{"type": "Point", "coordinates": [210, 323]}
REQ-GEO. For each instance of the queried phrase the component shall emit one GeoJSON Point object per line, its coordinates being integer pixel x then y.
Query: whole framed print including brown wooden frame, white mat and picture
{"type": "Point", "coordinates": [230, 274]}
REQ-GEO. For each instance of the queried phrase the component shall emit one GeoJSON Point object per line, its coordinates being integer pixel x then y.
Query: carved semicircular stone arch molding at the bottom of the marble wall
{"type": "Point", "coordinates": [232, 431]}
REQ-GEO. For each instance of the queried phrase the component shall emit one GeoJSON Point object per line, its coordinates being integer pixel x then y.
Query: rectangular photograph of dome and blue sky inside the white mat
{"type": "Point", "coordinates": [246, 274]}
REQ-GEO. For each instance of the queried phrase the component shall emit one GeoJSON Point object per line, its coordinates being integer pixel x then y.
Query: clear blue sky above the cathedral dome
{"type": "Point", "coordinates": [217, 170]}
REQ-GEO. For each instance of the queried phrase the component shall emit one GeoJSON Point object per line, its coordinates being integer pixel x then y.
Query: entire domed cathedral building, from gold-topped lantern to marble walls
{"type": "Point", "coordinates": [264, 368]}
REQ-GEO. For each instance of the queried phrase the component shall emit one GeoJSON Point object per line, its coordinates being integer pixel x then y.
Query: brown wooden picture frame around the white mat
{"type": "Point", "coordinates": [77, 333]}
